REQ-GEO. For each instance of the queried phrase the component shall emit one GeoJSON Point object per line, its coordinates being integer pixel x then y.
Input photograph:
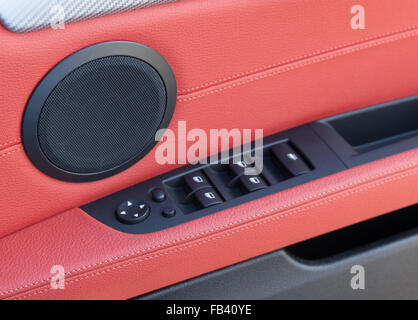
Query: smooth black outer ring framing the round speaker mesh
{"type": "Point", "coordinates": [59, 72]}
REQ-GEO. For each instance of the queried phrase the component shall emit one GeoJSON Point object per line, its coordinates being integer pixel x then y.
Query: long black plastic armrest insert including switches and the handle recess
{"type": "Point", "coordinates": [290, 158]}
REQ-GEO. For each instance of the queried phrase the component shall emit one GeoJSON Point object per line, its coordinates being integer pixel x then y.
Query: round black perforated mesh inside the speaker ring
{"type": "Point", "coordinates": [102, 114]}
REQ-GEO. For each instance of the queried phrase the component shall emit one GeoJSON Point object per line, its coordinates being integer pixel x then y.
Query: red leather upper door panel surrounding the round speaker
{"type": "Point", "coordinates": [241, 63]}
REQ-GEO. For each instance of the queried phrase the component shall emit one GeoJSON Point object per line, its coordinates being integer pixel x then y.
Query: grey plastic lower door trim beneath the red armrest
{"type": "Point", "coordinates": [391, 272]}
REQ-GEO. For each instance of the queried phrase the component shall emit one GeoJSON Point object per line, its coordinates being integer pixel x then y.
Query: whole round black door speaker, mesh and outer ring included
{"type": "Point", "coordinates": [97, 112]}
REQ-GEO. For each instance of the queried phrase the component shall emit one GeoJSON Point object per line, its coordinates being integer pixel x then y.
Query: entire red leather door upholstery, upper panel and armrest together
{"type": "Point", "coordinates": [239, 64]}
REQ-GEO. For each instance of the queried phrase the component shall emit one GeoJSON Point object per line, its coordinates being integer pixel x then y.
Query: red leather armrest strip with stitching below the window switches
{"type": "Point", "coordinates": [102, 263]}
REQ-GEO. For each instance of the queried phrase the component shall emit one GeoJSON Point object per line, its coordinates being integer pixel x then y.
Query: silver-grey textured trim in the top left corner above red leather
{"type": "Point", "coordinates": [30, 15]}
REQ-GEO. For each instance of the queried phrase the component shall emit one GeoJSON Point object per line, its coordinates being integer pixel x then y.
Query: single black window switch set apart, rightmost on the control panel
{"type": "Point", "coordinates": [290, 159]}
